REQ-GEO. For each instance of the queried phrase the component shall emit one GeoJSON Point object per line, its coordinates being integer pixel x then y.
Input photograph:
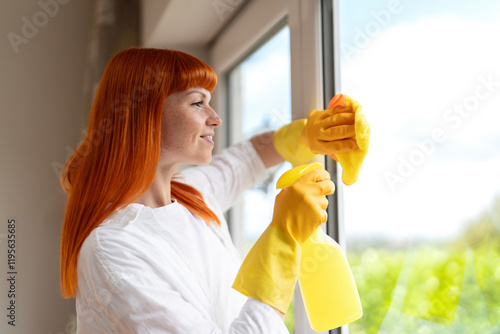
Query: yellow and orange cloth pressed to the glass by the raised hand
{"type": "Point", "coordinates": [351, 160]}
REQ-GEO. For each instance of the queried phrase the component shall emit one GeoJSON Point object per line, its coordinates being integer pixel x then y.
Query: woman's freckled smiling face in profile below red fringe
{"type": "Point", "coordinates": [188, 124]}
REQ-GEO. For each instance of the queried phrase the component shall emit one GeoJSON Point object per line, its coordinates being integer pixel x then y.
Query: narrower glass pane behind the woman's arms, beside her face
{"type": "Point", "coordinates": [260, 100]}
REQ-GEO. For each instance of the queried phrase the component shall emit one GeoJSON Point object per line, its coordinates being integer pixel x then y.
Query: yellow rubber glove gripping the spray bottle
{"type": "Point", "coordinates": [270, 270]}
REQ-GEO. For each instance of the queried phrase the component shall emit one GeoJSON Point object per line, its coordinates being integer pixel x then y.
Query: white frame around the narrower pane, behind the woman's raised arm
{"type": "Point", "coordinates": [252, 24]}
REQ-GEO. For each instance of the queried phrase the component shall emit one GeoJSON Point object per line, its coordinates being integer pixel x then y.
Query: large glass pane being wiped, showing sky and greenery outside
{"type": "Point", "coordinates": [423, 221]}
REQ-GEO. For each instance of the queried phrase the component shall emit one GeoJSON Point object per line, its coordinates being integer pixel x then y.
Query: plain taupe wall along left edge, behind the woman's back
{"type": "Point", "coordinates": [41, 114]}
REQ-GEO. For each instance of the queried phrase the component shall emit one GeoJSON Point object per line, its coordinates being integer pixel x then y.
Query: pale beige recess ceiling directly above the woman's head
{"type": "Point", "coordinates": [168, 23]}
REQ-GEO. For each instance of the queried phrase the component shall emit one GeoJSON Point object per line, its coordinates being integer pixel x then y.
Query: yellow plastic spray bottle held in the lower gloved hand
{"type": "Point", "coordinates": [330, 295]}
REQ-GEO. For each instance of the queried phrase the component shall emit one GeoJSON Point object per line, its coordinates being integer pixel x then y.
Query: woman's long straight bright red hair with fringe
{"type": "Point", "coordinates": [116, 162]}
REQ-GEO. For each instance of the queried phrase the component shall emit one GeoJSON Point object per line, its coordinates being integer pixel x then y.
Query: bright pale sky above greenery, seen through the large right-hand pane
{"type": "Point", "coordinates": [428, 79]}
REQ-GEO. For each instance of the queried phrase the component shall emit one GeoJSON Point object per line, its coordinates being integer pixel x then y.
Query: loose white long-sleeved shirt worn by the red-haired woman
{"type": "Point", "coordinates": [164, 270]}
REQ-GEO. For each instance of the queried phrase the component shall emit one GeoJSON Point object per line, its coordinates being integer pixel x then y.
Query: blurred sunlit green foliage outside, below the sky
{"type": "Point", "coordinates": [432, 287]}
